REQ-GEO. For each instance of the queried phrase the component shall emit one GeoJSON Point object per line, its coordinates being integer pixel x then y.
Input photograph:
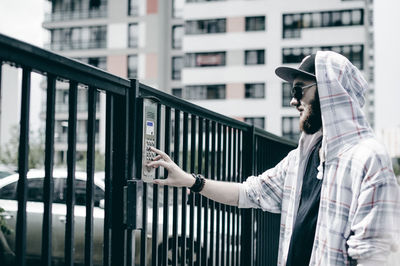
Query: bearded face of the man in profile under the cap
{"type": "Point", "coordinates": [308, 106]}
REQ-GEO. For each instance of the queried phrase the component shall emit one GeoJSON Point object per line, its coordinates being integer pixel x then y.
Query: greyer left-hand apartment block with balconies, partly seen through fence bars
{"type": "Point", "coordinates": [128, 38]}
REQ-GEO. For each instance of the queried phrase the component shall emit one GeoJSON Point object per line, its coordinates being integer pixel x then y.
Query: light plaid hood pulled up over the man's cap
{"type": "Point", "coordinates": [341, 89]}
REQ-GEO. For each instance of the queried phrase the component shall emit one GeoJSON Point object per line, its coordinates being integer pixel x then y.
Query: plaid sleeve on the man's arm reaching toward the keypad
{"type": "Point", "coordinates": [266, 190]}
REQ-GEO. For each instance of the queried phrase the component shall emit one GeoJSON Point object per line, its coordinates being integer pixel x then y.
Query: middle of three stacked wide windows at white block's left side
{"type": "Point", "coordinates": [205, 59]}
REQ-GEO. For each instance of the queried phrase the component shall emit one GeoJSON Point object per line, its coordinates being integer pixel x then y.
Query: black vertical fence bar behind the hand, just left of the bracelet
{"type": "Point", "coordinates": [184, 190]}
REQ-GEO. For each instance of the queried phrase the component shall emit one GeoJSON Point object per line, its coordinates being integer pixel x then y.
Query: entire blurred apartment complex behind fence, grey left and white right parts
{"type": "Point", "coordinates": [220, 54]}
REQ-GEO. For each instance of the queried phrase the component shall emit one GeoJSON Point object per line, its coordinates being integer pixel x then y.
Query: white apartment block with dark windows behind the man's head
{"type": "Point", "coordinates": [233, 47]}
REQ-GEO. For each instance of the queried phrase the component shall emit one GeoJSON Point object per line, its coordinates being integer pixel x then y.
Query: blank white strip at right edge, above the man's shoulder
{"type": "Point", "coordinates": [387, 72]}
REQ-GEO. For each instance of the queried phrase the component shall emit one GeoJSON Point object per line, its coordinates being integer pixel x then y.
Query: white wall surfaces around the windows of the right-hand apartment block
{"type": "Point", "coordinates": [235, 43]}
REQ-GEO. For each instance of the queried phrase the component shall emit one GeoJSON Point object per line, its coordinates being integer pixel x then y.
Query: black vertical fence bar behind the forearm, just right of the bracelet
{"type": "Point", "coordinates": [212, 203]}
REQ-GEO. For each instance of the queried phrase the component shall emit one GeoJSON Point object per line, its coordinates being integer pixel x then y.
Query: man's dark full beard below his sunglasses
{"type": "Point", "coordinates": [313, 121]}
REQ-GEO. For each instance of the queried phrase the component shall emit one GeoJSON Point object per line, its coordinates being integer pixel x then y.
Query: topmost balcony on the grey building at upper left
{"type": "Point", "coordinates": [76, 15]}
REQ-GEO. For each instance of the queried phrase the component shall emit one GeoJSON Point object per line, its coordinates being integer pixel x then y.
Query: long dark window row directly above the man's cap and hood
{"type": "Point", "coordinates": [355, 53]}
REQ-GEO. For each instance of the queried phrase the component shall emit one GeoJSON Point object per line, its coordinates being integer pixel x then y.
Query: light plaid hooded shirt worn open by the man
{"type": "Point", "coordinates": [360, 197]}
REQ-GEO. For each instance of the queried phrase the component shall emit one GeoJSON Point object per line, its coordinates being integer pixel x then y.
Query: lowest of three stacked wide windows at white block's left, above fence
{"type": "Point", "coordinates": [202, 92]}
